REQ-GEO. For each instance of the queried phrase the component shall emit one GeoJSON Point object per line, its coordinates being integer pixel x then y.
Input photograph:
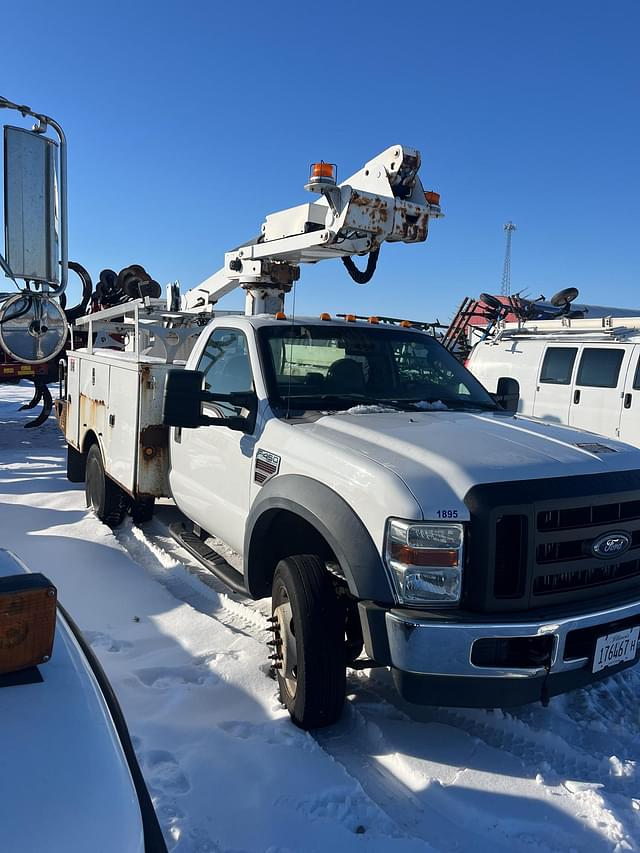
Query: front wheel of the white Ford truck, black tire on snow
{"type": "Point", "coordinates": [310, 659]}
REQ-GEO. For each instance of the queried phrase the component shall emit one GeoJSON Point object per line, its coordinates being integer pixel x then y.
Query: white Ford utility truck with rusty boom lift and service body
{"type": "Point", "coordinates": [368, 482]}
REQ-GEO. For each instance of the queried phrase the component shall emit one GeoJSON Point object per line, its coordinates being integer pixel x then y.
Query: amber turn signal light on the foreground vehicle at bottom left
{"type": "Point", "coordinates": [27, 621]}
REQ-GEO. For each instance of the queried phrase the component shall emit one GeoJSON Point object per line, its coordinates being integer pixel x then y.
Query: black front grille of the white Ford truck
{"type": "Point", "coordinates": [537, 548]}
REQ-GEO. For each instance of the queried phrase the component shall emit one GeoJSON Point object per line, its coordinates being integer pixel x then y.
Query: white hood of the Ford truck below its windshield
{"type": "Point", "coordinates": [440, 455]}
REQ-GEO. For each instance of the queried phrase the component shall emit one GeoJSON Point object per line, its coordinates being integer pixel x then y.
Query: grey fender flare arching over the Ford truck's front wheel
{"type": "Point", "coordinates": [333, 518]}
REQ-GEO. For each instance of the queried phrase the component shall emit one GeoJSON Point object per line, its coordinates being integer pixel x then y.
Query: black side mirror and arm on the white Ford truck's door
{"type": "Point", "coordinates": [183, 399]}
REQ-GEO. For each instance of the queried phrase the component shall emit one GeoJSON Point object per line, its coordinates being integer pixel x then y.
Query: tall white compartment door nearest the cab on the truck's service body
{"type": "Point", "coordinates": [121, 440]}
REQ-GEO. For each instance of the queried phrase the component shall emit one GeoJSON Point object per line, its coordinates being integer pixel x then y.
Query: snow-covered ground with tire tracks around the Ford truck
{"type": "Point", "coordinates": [226, 768]}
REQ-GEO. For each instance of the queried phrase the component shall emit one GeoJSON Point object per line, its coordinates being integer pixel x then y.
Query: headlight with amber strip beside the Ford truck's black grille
{"type": "Point", "coordinates": [425, 561]}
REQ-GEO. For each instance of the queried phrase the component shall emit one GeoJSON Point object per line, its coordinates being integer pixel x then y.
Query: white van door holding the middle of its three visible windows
{"type": "Point", "coordinates": [598, 388]}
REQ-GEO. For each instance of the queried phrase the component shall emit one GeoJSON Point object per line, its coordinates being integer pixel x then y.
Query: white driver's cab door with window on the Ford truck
{"type": "Point", "coordinates": [211, 465]}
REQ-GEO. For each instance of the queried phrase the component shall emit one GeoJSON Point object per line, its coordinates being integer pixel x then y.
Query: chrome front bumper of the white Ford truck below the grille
{"type": "Point", "coordinates": [425, 647]}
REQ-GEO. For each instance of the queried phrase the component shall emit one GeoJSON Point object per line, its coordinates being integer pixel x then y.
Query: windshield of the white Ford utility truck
{"type": "Point", "coordinates": [330, 367]}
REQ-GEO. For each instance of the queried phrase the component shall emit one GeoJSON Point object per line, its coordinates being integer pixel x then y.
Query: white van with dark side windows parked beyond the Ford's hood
{"type": "Point", "coordinates": [584, 373]}
